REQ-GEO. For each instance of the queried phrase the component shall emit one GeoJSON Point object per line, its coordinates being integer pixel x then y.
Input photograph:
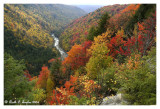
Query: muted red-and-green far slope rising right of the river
{"type": "Point", "coordinates": [77, 31]}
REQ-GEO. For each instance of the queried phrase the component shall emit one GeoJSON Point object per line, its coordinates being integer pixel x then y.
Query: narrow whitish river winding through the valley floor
{"type": "Point", "coordinates": [56, 44]}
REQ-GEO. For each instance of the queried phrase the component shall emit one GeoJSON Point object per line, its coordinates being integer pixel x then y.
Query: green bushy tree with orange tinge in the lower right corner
{"type": "Point", "coordinates": [137, 78]}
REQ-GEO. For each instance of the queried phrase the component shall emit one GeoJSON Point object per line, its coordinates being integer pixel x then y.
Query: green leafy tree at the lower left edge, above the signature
{"type": "Point", "coordinates": [15, 83]}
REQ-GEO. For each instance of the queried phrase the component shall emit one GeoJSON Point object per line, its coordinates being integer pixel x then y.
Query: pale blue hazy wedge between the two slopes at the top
{"type": "Point", "coordinates": [89, 8]}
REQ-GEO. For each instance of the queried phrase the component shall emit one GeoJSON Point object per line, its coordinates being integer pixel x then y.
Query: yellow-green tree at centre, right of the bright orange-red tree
{"type": "Point", "coordinates": [99, 60]}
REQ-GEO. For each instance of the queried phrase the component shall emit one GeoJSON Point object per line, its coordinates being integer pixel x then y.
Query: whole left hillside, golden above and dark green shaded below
{"type": "Point", "coordinates": [27, 29]}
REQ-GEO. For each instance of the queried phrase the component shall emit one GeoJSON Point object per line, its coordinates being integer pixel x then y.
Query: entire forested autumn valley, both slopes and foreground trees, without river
{"type": "Point", "coordinates": [111, 55]}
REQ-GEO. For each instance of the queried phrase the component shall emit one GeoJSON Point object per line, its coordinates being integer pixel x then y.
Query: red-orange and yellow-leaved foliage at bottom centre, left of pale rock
{"type": "Point", "coordinates": [82, 85]}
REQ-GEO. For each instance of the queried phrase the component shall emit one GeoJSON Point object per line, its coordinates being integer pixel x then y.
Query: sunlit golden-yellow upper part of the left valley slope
{"type": "Point", "coordinates": [35, 22]}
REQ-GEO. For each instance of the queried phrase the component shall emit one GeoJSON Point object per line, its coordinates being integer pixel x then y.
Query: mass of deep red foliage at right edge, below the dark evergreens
{"type": "Point", "coordinates": [141, 43]}
